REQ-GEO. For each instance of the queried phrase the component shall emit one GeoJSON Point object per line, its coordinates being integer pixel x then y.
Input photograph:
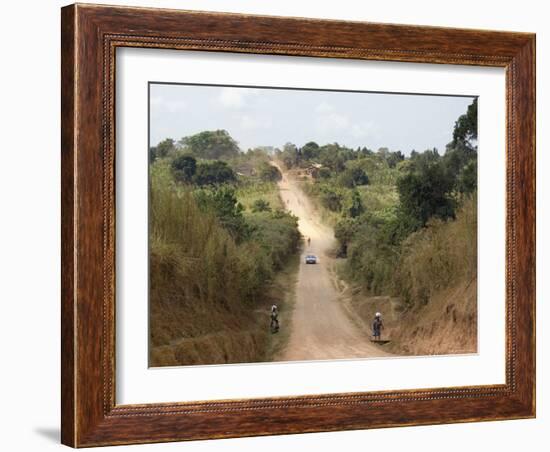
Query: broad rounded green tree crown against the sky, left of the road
{"type": "Point", "coordinates": [211, 145]}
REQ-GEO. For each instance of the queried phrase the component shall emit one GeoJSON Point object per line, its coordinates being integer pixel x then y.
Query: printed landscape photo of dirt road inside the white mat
{"type": "Point", "coordinates": [294, 224]}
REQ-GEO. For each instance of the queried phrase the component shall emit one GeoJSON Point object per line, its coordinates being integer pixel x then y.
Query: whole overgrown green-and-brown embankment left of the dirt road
{"type": "Point", "coordinates": [211, 290]}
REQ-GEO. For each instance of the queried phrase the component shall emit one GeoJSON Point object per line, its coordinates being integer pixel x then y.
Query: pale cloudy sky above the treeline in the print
{"type": "Point", "coordinates": [272, 117]}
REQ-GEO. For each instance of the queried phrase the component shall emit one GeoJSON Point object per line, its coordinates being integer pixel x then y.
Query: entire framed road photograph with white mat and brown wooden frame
{"type": "Point", "coordinates": [281, 225]}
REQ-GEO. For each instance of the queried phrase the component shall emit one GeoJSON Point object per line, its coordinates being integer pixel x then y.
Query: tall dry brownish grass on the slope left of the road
{"type": "Point", "coordinates": [209, 297]}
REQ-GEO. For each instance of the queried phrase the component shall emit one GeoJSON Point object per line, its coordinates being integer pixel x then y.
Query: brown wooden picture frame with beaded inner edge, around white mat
{"type": "Point", "coordinates": [90, 35]}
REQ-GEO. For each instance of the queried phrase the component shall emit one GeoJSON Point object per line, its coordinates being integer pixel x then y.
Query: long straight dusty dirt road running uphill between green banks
{"type": "Point", "coordinates": [320, 328]}
